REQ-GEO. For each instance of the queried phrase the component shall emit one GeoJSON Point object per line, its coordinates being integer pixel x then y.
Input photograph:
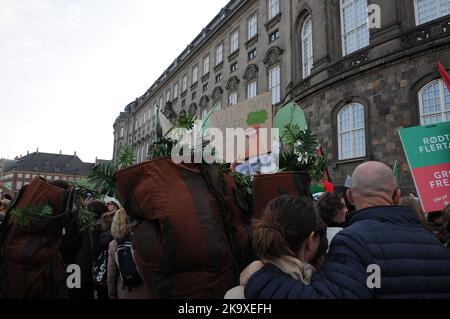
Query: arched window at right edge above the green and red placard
{"type": "Point", "coordinates": [434, 102]}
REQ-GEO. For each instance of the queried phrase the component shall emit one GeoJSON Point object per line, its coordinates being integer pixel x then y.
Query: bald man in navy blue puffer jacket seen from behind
{"type": "Point", "coordinates": [413, 263]}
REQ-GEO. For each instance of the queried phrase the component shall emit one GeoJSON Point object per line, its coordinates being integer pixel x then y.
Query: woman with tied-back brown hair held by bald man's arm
{"type": "Point", "coordinates": [289, 238]}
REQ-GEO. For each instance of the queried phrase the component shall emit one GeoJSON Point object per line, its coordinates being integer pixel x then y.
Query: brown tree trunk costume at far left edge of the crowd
{"type": "Point", "coordinates": [31, 263]}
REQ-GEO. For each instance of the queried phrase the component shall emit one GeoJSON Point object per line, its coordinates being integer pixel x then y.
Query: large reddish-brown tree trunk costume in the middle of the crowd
{"type": "Point", "coordinates": [191, 234]}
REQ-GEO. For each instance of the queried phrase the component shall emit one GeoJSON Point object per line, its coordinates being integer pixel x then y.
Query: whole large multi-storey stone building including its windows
{"type": "Point", "coordinates": [358, 80]}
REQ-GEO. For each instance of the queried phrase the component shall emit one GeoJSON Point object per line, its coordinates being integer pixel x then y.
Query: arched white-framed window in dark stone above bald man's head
{"type": "Point", "coordinates": [351, 132]}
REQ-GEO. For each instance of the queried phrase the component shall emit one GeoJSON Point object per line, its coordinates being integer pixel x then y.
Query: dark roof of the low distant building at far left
{"type": "Point", "coordinates": [50, 163]}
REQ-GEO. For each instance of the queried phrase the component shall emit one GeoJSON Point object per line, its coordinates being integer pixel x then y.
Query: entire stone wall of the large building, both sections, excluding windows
{"type": "Point", "coordinates": [385, 76]}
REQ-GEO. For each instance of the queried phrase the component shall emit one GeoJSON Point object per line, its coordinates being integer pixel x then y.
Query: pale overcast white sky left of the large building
{"type": "Point", "coordinates": [69, 67]}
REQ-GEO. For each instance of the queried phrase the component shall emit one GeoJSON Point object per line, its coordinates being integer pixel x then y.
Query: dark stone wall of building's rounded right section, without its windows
{"type": "Point", "coordinates": [385, 77]}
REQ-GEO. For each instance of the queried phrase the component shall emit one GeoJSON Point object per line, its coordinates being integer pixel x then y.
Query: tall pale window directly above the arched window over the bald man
{"type": "Point", "coordinates": [355, 32]}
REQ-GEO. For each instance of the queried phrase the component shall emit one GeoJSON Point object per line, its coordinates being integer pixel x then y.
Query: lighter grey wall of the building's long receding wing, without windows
{"type": "Point", "coordinates": [268, 54]}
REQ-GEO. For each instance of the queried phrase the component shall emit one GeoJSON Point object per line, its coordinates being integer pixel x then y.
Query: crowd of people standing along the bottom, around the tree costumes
{"type": "Point", "coordinates": [298, 248]}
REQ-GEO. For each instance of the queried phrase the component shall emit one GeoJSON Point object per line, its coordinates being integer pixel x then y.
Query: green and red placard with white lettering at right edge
{"type": "Point", "coordinates": [427, 149]}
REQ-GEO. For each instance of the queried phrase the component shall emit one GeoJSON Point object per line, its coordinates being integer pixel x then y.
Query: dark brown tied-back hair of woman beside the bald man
{"type": "Point", "coordinates": [285, 224]}
